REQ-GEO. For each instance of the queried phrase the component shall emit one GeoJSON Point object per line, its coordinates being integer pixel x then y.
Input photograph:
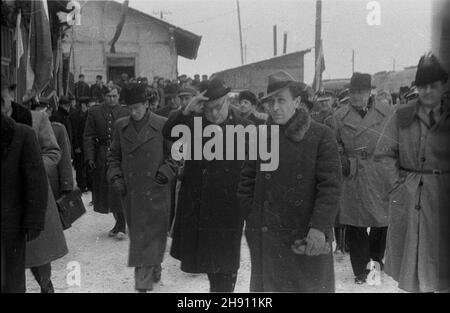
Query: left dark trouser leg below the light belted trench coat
{"type": "Point", "coordinates": [359, 247]}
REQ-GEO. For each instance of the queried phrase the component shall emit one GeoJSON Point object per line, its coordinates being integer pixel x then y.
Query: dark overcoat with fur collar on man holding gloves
{"type": "Point", "coordinates": [282, 205]}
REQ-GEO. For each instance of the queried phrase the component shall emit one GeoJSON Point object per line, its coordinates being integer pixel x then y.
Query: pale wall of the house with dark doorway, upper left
{"type": "Point", "coordinates": [141, 38]}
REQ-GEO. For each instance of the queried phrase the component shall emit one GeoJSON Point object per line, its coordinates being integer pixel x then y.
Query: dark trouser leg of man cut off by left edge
{"type": "Point", "coordinates": [13, 262]}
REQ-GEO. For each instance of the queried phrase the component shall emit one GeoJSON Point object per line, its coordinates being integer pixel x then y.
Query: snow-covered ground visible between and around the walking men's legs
{"type": "Point", "coordinates": [102, 263]}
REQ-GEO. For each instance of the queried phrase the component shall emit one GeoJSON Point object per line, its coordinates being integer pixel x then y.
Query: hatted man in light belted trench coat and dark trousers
{"type": "Point", "coordinates": [365, 194]}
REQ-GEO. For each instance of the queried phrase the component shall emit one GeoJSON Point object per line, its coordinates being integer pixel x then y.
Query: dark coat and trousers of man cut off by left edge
{"type": "Point", "coordinates": [24, 199]}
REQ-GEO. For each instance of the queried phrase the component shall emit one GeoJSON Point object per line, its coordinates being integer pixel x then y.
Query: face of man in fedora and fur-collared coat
{"type": "Point", "coordinates": [281, 107]}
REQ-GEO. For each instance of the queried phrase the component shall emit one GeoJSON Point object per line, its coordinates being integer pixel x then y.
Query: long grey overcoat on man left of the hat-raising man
{"type": "Point", "coordinates": [135, 159]}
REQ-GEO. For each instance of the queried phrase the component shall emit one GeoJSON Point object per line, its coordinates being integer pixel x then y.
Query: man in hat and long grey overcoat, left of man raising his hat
{"type": "Point", "coordinates": [141, 171]}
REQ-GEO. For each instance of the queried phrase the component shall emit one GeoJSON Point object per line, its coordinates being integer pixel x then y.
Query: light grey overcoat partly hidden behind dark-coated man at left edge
{"type": "Point", "coordinates": [51, 244]}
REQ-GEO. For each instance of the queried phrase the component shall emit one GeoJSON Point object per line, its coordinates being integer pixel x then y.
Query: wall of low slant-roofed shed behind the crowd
{"type": "Point", "coordinates": [254, 76]}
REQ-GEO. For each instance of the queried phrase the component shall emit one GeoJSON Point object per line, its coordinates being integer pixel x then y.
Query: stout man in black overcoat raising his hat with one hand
{"type": "Point", "coordinates": [208, 224]}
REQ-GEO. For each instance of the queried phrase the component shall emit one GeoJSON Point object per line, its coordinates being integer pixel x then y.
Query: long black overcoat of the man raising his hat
{"type": "Point", "coordinates": [209, 222]}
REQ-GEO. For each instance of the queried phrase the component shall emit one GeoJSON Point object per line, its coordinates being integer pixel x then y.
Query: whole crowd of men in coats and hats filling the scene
{"type": "Point", "coordinates": [355, 168]}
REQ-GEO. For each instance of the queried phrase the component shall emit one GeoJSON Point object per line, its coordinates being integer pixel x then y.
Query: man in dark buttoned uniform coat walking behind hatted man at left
{"type": "Point", "coordinates": [98, 134]}
